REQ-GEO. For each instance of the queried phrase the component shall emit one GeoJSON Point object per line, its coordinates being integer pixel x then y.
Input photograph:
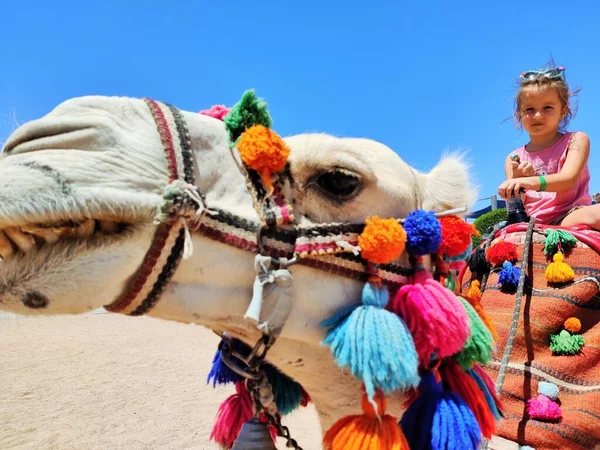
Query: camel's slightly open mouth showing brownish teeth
{"type": "Point", "coordinates": [17, 241]}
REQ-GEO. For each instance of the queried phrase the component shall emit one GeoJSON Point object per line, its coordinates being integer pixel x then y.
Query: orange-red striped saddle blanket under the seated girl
{"type": "Point", "coordinates": [543, 312]}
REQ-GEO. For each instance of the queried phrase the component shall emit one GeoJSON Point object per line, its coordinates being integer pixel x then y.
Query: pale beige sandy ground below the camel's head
{"type": "Point", "coordinates": [105, 381]}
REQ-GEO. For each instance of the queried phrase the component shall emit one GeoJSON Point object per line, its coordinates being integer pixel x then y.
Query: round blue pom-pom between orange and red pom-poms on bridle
{"type": "Point", "coordinates": [423, 232]}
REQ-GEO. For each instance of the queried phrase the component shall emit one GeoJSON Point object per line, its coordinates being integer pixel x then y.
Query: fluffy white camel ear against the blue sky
{"type": "Point", "coordinates": [448, 185]}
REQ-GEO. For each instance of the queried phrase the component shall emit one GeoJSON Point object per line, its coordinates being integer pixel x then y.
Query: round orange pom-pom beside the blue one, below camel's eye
{"type": "Point", "coordinates": [382, 240]}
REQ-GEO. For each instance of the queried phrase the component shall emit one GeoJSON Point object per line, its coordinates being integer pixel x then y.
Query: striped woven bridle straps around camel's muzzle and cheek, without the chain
{"type": "Point", "coordinates": [329, 247]}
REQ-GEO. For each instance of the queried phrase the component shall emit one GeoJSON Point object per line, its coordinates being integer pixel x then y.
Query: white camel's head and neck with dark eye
{"type": "Point", "coordinates": [79, 191]}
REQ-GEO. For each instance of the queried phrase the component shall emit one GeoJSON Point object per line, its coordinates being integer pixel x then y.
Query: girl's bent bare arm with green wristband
{"type": "Point", "coordinates": [577, 157]}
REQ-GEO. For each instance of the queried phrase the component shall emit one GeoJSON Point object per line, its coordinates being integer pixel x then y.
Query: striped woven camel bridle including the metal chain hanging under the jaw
{"type": "Point", "coordinates": [330, 247]}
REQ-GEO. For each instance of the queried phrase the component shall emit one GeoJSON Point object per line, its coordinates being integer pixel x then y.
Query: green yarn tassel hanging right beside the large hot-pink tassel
{"type": "Point", "coordinates": [479, 346]}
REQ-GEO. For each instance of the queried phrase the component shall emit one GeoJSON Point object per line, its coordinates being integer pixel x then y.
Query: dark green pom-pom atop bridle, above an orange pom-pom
{"type": "Point", "coordinates": [248, 111]}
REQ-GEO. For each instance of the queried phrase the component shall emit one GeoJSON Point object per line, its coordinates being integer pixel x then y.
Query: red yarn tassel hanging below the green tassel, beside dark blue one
{"type": "Point", "coordinates": [462, 384]}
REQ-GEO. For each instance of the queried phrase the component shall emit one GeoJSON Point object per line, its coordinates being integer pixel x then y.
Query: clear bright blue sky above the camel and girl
{"type": "Point", "coordinates": [422, 77]}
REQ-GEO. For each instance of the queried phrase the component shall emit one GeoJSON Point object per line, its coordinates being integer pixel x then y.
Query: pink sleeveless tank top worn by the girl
{"type": "Point", "coordinates": [549, 206]}
